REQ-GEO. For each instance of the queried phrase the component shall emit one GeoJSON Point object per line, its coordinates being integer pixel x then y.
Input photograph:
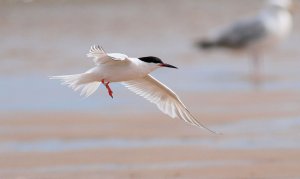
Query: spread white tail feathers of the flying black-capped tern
{"type": "Point", "coordinates": [79, 81]}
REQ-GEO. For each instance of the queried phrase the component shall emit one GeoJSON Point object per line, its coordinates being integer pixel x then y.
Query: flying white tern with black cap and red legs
{"type": "Point", "coordinates": [134, 74]}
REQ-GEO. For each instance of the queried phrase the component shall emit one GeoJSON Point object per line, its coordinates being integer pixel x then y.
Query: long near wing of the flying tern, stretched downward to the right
{"type": "Point", "coordinates": [165, 99]}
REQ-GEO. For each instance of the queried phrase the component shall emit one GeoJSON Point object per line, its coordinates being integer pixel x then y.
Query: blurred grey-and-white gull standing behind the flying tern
{"type": "Point", "coordinates": [256, 35]}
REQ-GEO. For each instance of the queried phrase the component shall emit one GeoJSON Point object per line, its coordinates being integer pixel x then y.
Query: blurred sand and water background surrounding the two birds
{"type": "Point", "coordinates": [49, 131]}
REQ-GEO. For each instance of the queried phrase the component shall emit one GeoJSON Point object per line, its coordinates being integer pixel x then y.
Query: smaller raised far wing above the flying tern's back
{"type": "Point", "coordinates": [100, 56]}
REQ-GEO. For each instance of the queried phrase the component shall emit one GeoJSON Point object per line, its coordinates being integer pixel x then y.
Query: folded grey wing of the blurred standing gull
{"type": "Point", "coordinates": [242, 33]}
